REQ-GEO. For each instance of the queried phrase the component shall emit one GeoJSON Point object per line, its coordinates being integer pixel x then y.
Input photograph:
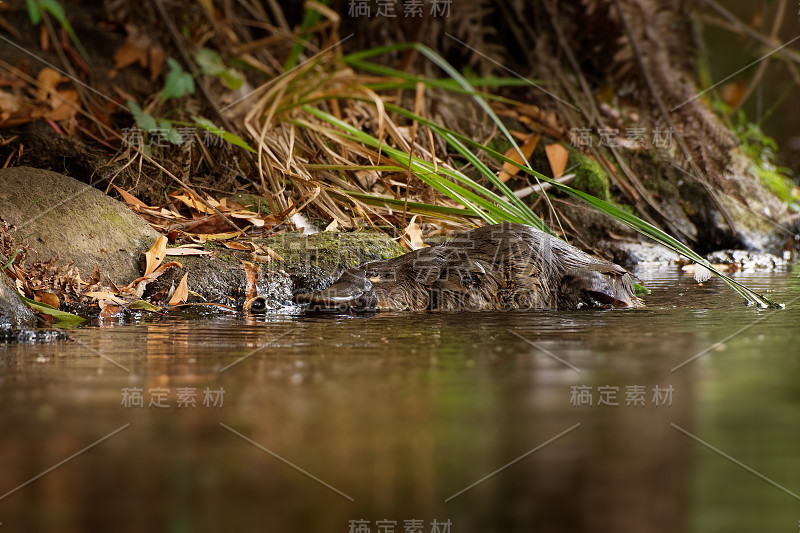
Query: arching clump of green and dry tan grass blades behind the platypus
{"type": "Point", "coordinates": [333, 137]}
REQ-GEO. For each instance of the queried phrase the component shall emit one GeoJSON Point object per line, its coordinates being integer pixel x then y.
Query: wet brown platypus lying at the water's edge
{"type": "Point", "coordinates": [502, 266]}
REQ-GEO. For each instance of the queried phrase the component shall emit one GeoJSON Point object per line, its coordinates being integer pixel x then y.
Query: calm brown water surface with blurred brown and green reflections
{"type": "Point", "coordinates": [293, 423]}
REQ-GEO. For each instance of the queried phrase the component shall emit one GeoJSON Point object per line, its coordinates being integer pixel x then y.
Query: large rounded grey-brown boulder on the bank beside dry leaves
{"type": "Point", "coordinates": [59, 216]}
